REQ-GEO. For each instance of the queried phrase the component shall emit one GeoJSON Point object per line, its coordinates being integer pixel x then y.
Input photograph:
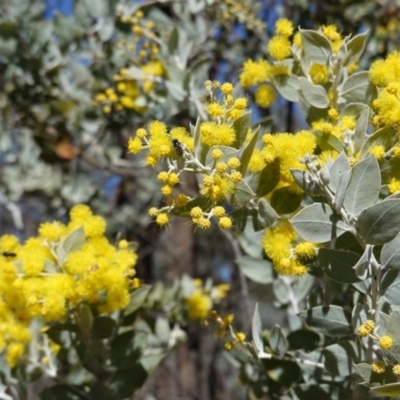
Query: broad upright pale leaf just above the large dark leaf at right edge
{"type": "Point", "coordinates": [364, 186]}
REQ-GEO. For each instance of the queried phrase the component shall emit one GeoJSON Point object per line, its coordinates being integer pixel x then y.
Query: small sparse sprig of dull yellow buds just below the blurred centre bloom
{"type": "Point", "coordinates": [224, 329]}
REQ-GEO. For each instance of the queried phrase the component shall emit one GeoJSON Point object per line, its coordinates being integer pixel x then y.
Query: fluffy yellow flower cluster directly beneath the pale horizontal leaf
{"type": "Point", "coordinates": [286, 250]}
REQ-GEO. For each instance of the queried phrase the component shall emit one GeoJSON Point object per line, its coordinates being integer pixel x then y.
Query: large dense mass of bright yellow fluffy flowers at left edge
{"type": "Point", "coordinates": [50, 275]}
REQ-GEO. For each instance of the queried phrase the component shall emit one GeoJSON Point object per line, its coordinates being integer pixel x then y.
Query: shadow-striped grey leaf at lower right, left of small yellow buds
{"type": "Point", "coordinates": [329, 320]}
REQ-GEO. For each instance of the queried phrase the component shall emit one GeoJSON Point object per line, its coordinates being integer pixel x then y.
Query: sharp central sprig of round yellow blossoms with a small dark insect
{"type": "Point", "coordinates": [219, 177]}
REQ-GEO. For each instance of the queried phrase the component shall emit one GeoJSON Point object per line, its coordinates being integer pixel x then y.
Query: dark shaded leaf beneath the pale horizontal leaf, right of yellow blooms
{"type": "Point", "coordinates": [338, 264]}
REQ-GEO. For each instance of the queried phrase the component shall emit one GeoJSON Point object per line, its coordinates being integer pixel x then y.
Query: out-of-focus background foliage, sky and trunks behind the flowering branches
{"type": "Point", "coordinates": [78, 77]}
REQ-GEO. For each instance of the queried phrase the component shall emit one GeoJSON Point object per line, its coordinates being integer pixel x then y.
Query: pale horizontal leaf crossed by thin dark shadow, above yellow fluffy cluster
{"type": "Point", "coordinates": [318, 223]}
